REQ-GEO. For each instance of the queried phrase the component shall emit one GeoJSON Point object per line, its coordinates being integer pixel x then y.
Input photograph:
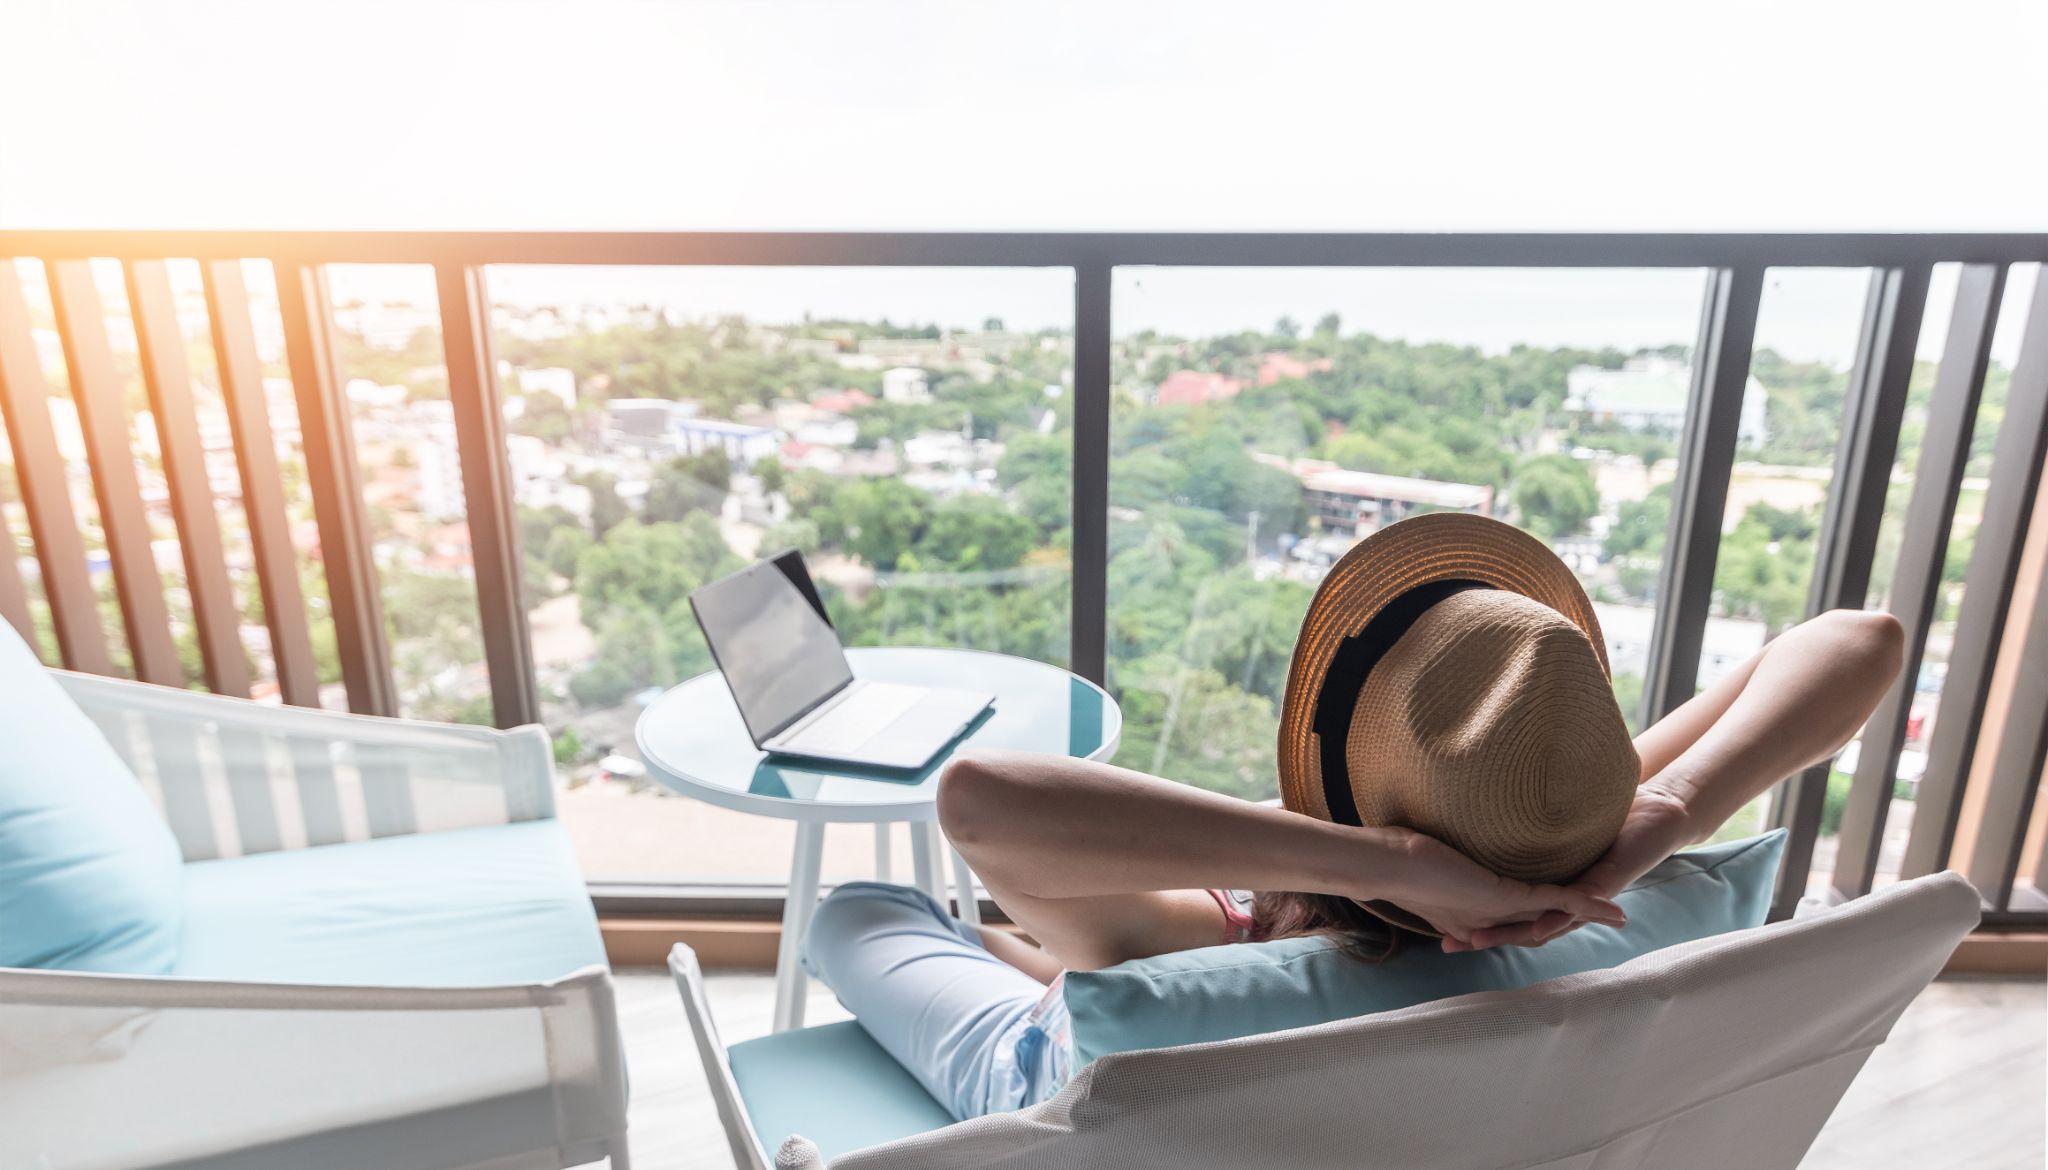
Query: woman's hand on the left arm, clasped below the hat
{"type": "Point", "coordinates": [1465, 901]}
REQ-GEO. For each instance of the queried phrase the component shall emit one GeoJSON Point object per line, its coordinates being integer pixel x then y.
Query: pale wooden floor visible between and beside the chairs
{"type": "Point", "coordinates": [1963, 1081]}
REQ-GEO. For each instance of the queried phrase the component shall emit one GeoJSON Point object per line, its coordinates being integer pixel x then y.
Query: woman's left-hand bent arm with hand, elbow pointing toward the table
{"type": "Point", "coordinates": [1103, 864]}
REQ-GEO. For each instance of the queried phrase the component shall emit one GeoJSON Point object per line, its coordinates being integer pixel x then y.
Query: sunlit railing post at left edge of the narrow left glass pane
{"type": "Point", "coordinates": [335, 476]}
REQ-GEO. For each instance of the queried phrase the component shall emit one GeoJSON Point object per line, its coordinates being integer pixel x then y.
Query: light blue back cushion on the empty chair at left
{"type": "Point", "coordinates": [89, 872]}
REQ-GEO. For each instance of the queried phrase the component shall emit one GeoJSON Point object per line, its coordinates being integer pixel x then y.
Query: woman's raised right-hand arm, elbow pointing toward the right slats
{"type": "Point", "coordinates": [1795, 704]}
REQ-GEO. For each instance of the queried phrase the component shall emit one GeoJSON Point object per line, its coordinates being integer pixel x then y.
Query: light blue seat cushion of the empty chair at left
{"type": "Point", "coordinates": [476, 907]}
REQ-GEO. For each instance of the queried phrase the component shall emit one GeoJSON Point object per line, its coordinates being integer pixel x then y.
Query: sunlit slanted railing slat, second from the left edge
{"type": "Point", "coordinates": [110, 448]}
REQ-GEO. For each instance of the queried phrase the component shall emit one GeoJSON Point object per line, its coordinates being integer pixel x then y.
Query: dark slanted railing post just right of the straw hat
{"type": "Point", "coordinates": [1701, 495]}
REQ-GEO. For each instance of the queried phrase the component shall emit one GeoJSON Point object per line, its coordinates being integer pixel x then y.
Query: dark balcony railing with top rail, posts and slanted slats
{"type": "Point", "coordinates": [1975, 802]}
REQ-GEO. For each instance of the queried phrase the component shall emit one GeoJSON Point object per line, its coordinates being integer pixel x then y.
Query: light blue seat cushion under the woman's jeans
{"type": "Point", "coordinates": [835, 1087]}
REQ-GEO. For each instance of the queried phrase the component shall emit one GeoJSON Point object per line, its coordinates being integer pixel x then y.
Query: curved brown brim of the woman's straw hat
{"type": "Point", "coordinates": [1388, 565]}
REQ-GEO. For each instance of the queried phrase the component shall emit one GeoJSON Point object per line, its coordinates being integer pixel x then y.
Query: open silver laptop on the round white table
{"type": "Point", "coordinates": [798, 696]}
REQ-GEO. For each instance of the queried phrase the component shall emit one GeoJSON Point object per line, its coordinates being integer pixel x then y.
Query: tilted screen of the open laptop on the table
{"type": "Point", "coordinates": [771, 638]}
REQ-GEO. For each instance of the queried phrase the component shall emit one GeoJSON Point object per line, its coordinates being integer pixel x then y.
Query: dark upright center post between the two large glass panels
{"type": "Point", "coordinates": [1091, 470]}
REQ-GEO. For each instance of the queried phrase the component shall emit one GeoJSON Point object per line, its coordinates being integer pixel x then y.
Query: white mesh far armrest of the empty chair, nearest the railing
{"type": "Point", "coordinates": [249, 778]}
